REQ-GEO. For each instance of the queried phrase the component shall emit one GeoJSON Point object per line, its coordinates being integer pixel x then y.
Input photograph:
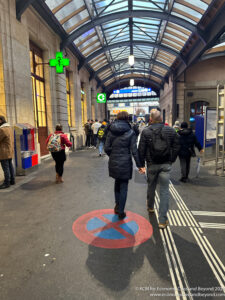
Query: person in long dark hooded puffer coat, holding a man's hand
{"type": "Point", "coordinates": [120, 145]}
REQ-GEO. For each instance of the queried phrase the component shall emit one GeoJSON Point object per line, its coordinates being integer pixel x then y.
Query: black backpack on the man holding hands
{"type": "Point", "coordinates": [159, 146]}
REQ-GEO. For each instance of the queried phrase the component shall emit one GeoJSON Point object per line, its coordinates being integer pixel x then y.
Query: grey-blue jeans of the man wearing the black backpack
{"type": "Point", "coordinates": [159, 174]}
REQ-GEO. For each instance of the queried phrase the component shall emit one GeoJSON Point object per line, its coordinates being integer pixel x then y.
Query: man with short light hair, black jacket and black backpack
{"type": "Point", "coordinates": [159, 146]}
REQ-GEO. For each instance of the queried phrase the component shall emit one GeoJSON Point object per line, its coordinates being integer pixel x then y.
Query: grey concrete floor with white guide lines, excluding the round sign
{"type": "Point", "coordinates": [42, 259]}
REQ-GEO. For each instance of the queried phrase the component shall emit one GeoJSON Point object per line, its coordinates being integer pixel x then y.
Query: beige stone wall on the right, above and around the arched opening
{"type": "Point", "coordinates": [198, 83]}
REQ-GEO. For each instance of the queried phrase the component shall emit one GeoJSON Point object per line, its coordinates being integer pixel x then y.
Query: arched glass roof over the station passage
{"type": "Point", "coordinates": [129, 27]}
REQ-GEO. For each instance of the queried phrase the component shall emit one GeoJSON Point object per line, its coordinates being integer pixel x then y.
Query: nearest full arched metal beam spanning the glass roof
{"type": "Point", "coordinates": [131, 14]}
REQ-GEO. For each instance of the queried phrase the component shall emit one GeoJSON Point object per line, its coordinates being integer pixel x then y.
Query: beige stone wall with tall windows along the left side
{"type": "Point", "coordinates": [16, 101]}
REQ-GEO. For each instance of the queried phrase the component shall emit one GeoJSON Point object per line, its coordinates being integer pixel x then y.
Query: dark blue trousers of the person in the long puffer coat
{"type": "Point", "coordinates": [120, 189]}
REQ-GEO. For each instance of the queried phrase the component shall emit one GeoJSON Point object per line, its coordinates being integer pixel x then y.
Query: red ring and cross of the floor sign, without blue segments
{"type": "Point", "coordinates": [143, 233]}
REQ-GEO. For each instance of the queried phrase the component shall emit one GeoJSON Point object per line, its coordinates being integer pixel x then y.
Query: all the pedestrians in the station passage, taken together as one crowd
{"type": "Point", "coordinates": [154, 152]}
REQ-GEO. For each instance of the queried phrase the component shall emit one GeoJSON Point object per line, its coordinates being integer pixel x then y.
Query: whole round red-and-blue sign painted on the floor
{"type": "Point", "coordinates": [102, 228]}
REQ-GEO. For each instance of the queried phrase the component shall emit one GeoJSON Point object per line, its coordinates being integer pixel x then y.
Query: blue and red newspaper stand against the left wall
{"type": "Point", "coordinates": [26, 155]}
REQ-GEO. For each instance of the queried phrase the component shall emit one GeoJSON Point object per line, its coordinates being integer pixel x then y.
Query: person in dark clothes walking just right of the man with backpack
{"type": "Point", "coordinates": [188, 141]}
